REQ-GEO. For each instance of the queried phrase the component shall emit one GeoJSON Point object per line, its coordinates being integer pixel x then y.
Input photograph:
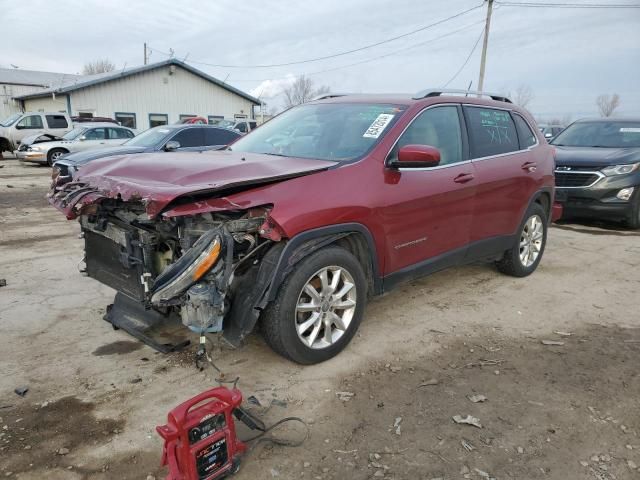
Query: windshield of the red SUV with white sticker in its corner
{"type": "Point", "coordinates": [329, 131]}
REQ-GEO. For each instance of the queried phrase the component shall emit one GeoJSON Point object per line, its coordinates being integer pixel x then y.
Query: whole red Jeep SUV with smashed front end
{"type": "Point", "coordinates": [298, 223]}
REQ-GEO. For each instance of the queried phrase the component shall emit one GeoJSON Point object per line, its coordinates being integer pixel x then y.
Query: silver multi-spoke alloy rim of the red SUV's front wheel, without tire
{"type": "Point", "coordinates": [325, 307]}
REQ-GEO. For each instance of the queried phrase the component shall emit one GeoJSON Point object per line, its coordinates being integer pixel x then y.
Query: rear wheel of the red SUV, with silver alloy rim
{"type": "Point", "coordinates": [524, 256]}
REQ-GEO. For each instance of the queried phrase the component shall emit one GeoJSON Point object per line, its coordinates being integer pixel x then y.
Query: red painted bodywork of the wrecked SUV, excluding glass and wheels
{"type": "Point", "coordinates": [412, 215]}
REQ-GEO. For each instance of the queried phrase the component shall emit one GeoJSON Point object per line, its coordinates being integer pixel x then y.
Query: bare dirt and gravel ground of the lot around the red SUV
{"type": "Point", "coordinates": [384, 408]}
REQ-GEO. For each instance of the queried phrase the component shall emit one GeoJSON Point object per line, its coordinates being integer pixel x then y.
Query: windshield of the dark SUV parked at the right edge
{"type": "Point", "coordinates": [605, 133]}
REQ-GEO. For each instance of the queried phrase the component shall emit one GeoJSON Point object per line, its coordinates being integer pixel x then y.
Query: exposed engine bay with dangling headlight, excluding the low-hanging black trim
{"type": "Point", "coordinates": [187, 266]}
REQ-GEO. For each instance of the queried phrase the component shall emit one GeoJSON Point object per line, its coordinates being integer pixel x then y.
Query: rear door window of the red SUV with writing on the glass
{"type": "Point", "coordinates": [491, 132]}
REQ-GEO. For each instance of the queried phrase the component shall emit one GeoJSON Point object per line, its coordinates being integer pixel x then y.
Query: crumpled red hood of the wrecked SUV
{"type": "Point", "coordinates": [157, 179]}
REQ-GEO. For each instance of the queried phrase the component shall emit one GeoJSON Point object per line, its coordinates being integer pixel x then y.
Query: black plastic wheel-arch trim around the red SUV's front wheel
{"type": "Point", "coordinates": [258, 288]}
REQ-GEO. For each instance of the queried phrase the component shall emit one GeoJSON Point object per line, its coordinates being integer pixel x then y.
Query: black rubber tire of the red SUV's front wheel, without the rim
{"type": "Point", "coordinates": [279, 320]}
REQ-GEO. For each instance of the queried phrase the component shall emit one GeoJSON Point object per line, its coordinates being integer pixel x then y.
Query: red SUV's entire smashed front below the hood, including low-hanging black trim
{"type": "Point", "coordinates": [188, 268]}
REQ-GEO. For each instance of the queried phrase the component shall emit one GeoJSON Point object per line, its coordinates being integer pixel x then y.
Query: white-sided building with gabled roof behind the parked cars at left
{"type": "Point", "coordinates": [156, 94]}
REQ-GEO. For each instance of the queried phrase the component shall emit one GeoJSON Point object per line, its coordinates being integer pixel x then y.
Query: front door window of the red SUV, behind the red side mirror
{"type": "Point", "coordinates": [438, 127]}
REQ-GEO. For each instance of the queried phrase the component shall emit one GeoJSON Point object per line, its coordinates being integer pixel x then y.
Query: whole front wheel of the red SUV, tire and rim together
{"type": "Point", "coordinates": [318, 308]}
